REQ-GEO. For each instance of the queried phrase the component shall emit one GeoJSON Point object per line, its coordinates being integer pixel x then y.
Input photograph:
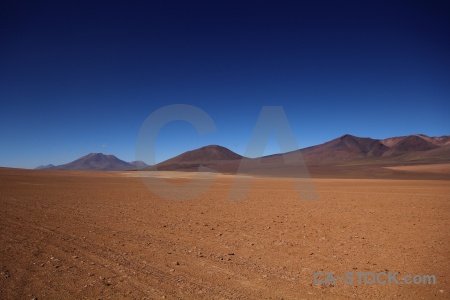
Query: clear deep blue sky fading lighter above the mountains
{"type": "Point", "coordinates": [82, 76]}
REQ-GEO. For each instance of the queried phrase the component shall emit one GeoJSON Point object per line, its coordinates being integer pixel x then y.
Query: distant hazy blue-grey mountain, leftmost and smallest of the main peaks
{"type": "Point", "coordinates": [96, 162]}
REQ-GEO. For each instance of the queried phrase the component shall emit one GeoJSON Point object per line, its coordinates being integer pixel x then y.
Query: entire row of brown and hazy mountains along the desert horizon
{"type": "Point", "coordinates": [344, 155]}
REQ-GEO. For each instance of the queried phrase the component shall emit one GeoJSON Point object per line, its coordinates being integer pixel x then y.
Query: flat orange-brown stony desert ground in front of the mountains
{"type": "Point", "coordinates": [104, 235]}
